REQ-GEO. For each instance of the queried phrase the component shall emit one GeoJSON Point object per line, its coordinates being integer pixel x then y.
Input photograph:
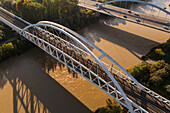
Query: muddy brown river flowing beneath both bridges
{"type": "Point", "coordinates": [36, 82]}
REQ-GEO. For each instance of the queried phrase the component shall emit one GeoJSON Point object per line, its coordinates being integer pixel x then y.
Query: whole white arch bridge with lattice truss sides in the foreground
{"type": "Point", "coordinates": [74, 51]}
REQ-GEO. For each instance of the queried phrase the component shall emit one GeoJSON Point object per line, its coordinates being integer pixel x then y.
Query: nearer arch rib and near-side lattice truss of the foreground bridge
{"type": "Point", "coordinates": [115, 92]}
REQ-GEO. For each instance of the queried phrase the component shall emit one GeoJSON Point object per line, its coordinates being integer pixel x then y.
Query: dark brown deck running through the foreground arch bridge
{"type": "Point", "coordinates": [148, 102]}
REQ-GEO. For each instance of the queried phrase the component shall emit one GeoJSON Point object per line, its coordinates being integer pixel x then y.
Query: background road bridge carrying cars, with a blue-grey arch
{"type": "Point", "coordinates": [147, 14]}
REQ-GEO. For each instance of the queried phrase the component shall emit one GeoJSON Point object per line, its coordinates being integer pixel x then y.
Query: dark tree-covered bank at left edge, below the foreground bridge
{"type": "Point", "coordinates": [11, 43]}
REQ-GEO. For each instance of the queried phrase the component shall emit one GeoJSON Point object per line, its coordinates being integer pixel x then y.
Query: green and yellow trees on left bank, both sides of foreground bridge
{"type": "Point", "coordinates": [64, 12]}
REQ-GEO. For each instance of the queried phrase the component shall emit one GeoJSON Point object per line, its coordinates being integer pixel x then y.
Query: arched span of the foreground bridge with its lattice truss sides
{"type": "Point", "coordinates": [74, 51]}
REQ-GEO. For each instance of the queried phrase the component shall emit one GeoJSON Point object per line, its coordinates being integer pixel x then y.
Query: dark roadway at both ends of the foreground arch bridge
{"type": "Point", "coordinates": [148, 102]}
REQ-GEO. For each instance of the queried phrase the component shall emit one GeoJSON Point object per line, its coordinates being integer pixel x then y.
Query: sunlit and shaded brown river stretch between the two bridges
{"type": "Point", "coordinates": [127, 41]}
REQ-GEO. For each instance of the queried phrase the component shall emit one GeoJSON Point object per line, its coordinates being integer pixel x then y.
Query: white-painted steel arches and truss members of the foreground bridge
{"type": "Point", "coordinates": [53, 51]}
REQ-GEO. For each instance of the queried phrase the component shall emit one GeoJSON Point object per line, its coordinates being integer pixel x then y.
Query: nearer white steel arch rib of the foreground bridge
{"type": "Point", "coordinates": [120, 91]}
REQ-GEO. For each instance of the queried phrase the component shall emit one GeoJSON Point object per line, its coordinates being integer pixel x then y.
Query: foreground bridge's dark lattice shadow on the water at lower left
{"type": "Point", "coordinates": [34, 91]}
